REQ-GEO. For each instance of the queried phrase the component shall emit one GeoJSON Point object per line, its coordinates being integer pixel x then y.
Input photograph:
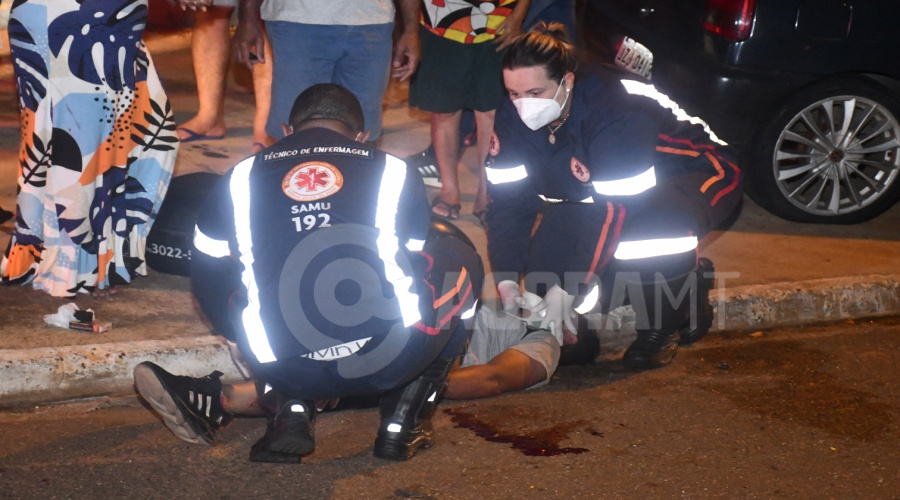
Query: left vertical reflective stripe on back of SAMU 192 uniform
{"type": "Point", "coordinates": [253, 326]}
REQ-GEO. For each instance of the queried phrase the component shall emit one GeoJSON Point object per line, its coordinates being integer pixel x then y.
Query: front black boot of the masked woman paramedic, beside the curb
{"type": "Point", "coordinates": [657, 343]}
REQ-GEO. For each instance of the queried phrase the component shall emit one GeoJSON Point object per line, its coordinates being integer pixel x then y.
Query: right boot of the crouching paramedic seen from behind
{"type": "Point", "coordinates": [406, 414]}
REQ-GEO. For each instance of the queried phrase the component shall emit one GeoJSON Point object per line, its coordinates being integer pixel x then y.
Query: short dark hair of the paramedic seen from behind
{"type": "Point", "coordinates": [328, 101]}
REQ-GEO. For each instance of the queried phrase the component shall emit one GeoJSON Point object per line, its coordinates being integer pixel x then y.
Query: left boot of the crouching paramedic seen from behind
{"type": "Point", "coordinates": [289, 431]}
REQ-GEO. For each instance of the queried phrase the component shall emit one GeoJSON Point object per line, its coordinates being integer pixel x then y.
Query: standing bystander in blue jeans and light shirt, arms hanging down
{"type": "Point", "coordinates": [346, 42]}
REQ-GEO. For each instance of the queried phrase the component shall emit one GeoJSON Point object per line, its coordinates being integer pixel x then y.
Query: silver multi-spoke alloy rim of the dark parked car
{"type": "Point", "coordinates": [838, 155]}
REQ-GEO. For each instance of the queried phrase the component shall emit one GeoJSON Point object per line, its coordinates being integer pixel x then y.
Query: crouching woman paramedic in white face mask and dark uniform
{"type": "Point", "coordinates": [625, 183]}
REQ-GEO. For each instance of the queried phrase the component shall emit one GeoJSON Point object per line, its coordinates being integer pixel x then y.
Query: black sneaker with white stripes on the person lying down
{"type": "Point", "coordinates": [190, 407]}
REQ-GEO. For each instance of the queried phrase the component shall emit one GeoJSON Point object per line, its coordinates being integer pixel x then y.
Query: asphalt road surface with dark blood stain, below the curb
{"type": "Point", "coordinates": [795, 413]}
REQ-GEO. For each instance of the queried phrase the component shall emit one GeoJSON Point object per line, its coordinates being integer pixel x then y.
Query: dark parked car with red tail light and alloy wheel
{"type": "Point", "coordinates": [807, 90]}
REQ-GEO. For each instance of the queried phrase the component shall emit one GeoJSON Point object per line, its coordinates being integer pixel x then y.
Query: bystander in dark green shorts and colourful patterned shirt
{"type": "Point", "coordinates": [461, 70]}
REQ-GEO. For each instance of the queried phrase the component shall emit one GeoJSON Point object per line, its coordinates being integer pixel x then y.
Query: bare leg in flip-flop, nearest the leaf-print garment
{"type": "Point", "coordinates": [210, 50]}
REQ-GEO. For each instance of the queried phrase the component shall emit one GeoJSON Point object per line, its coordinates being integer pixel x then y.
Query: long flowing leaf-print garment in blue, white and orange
{"type": "Point", "coordinates": [98, 144]}
